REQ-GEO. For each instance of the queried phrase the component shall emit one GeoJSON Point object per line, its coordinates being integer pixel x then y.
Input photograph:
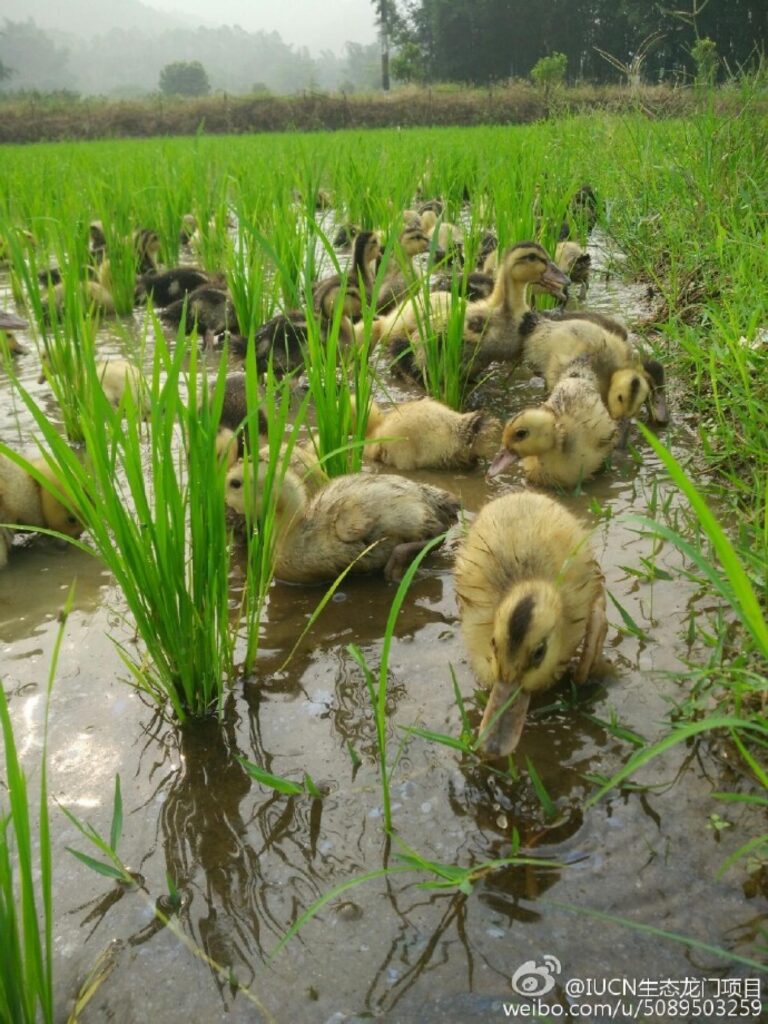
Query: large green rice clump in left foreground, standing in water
{"type": "Point", "coordinates": [162, 533]}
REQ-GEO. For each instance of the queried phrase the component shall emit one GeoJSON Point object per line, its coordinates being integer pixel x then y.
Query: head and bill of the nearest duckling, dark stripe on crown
{"type": "Point", "coordinates": [527, 657]}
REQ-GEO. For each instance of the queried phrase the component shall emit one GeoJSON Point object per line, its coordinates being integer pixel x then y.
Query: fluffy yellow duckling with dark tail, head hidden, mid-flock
{"type": "Point", "coordinates": [426, 435]}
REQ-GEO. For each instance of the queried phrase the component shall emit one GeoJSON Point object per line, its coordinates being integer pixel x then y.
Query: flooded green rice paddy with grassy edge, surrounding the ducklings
{"type": "Point", "coordinates": [305, 830]}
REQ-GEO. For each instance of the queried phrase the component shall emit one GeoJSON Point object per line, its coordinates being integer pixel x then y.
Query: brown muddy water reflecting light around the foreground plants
{"type": "Point", "coordinates": [248, 861]}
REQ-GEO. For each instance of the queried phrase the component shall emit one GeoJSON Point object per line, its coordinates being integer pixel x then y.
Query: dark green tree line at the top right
{"type": "Point", "coordinates": [485, 41]}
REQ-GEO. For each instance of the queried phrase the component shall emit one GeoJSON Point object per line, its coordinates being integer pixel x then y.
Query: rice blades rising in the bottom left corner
{"type": "Point", "coordinates": [26, 904]}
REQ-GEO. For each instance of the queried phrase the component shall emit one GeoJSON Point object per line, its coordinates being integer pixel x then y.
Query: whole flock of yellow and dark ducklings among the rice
{"type": "Point", "coordinates": [530, 591]}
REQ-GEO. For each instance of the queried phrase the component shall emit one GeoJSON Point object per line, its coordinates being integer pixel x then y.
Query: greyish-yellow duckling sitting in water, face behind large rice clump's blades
{"type": "Point", "coordinates": [363, 523]}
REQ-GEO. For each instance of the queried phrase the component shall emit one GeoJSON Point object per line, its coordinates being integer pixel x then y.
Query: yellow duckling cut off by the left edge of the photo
{"type": "Point", "coordinates": [26, 503]}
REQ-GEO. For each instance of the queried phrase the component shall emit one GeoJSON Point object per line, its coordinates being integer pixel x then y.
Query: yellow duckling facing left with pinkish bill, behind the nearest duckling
{"type": "Point", "coordinates": [567, 440]}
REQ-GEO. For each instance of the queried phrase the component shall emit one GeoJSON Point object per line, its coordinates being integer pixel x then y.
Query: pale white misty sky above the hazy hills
{"type": "Point", "coordinates": [314, 24]}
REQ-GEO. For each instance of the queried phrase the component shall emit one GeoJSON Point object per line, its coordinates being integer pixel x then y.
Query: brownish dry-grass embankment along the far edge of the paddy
{"type": "Point", "coordinates": [35, 119]}
